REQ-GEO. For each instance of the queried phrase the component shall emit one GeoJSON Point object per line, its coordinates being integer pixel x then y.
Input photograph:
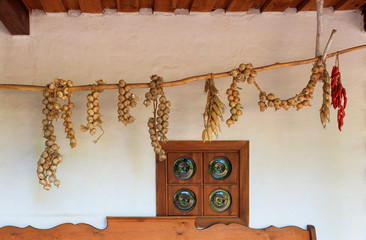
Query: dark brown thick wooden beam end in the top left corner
{"type": "Point", "coordinates": [15, 16]}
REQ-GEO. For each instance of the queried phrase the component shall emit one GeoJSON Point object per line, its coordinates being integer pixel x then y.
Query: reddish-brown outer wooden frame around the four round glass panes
{"type": "Point", "coordinates": [242, 147]}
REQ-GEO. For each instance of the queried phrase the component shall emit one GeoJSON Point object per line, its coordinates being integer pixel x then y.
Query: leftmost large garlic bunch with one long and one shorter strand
{"type": "Point", "coordinates": [50, 158]}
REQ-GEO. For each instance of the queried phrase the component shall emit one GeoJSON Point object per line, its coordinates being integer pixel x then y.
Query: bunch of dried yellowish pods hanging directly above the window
{"type": "Point", "coordinates": [213, 111]}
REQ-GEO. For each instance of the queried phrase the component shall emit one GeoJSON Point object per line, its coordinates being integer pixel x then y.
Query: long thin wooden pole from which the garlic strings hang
{"type": "Point", "coordinates": [181, 81]}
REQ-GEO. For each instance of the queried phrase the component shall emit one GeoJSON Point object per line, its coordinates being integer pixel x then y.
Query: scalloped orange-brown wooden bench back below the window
{"type": "Point", "coordinates": [156, 228]}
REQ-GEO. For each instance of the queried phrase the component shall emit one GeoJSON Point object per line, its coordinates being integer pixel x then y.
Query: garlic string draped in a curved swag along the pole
{"type": "Point", "coordinates": [299, 101]}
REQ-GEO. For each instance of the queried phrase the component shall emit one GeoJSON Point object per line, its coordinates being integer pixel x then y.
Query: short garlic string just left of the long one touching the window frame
{"type": "Point", "coordinates": [126, 100]}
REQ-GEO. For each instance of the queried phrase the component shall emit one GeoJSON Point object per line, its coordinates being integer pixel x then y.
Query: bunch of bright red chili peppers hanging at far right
{"type": "Point", "coordinates": [338, 93]}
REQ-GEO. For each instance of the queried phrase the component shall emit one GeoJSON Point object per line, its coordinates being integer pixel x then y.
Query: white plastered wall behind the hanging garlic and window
{"type": "Point", "coordinates": [299, 173]}
